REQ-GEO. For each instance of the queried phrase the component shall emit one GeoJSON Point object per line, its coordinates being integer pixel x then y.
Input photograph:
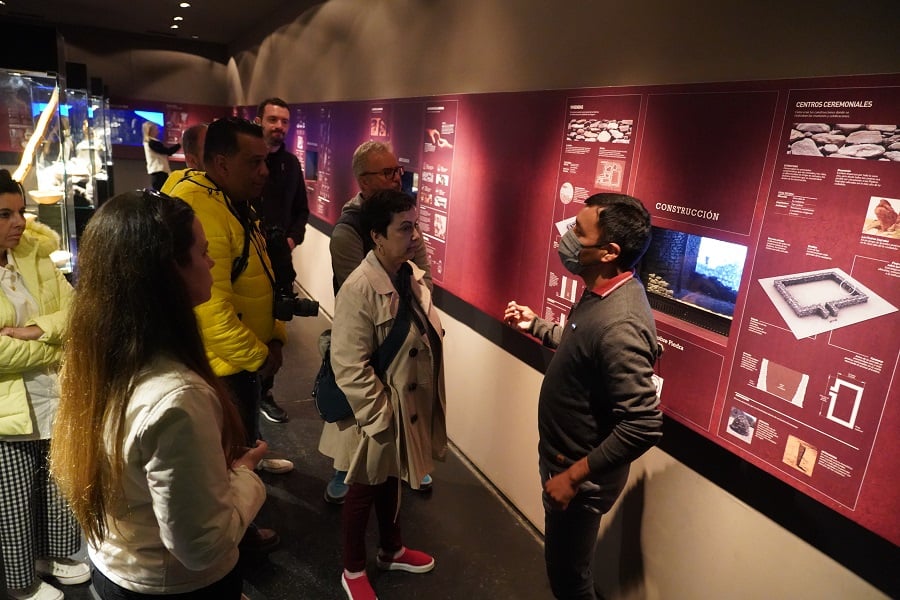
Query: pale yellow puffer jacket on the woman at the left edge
{"type": "Point", "coordinates": [53, 294]}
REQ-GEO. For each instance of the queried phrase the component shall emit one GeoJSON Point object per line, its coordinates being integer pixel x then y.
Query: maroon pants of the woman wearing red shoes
{"type": "Point", "coordinates": [355, 517]}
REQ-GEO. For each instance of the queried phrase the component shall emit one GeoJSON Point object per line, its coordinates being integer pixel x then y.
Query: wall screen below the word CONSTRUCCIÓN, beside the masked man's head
{"type": "Point", "coordinates": [693, 278]}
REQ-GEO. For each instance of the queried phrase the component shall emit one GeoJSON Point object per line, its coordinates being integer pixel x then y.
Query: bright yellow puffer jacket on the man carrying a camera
{"type": "Point", "coordinates": [237, 322]}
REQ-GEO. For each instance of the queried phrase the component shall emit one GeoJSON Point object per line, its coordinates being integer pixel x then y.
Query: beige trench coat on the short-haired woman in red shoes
{"type": "Point", "coordinates": [398, 425]}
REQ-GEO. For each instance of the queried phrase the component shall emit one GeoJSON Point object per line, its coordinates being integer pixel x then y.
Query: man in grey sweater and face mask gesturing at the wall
{"type": "Point", "coordinates": [598, 407]}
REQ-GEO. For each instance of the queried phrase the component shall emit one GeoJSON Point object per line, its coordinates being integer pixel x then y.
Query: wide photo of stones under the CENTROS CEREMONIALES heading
{"type": "Point", "coordinates": [844, 140]}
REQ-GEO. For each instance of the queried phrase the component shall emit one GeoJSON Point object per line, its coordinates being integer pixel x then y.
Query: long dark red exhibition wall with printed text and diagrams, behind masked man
{"type": "Point", "coordinates": [803, 173]}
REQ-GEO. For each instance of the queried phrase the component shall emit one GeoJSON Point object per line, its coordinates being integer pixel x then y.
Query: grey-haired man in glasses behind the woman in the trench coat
{"type": "Point", "coordinates": [376, 168]}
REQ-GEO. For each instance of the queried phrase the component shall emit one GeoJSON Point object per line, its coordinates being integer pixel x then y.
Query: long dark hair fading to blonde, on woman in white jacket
{"type": "Point", "coordinates": [131, 307]}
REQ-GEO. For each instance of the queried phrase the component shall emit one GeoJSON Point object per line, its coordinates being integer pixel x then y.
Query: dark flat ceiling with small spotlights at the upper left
{"type": "Point", "coordinates": [220, 22]}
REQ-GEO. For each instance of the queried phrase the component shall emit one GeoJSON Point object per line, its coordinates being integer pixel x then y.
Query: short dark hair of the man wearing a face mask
{"type": "Point", "coordinates": [626, 222]}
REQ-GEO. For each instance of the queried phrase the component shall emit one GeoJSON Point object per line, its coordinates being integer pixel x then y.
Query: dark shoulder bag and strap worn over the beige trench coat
{"type": "Point", "coordinates": [329, 399]}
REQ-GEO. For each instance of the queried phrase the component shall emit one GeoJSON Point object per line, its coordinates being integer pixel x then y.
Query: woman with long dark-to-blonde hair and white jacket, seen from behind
{"type": "Point", "coordinates": [148, 444]}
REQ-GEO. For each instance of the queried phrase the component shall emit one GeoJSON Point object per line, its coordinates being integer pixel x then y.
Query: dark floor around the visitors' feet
{"type": "Point", "coordinates": [482, 549]}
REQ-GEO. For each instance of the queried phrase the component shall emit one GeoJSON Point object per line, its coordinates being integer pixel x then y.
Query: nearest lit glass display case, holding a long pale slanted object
{"type": "Point", "coordinates": [37, 146]}
